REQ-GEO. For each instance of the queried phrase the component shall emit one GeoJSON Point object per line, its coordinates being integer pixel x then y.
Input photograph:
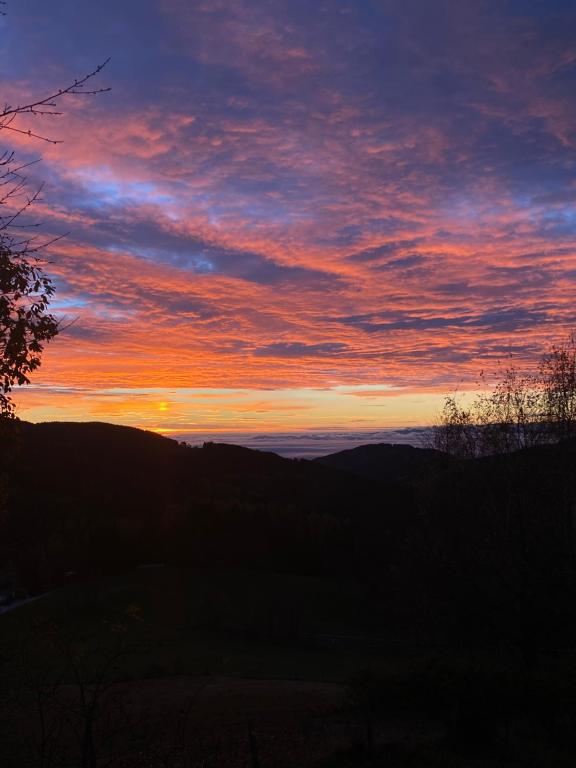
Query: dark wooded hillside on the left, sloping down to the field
{"type": "Point", "coordinates": [90, 498]}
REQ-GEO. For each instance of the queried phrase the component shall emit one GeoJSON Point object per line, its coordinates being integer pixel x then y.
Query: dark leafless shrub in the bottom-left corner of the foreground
{"type": "Point", "coordinates": [67, 706]}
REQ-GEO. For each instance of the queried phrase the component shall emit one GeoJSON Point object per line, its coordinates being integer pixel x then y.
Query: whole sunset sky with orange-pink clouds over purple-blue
{"type": "Point", "coordinates": [291, 215]}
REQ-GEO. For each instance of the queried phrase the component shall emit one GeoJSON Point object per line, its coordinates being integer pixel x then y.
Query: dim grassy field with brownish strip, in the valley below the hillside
{"type": "Point", "coordinates": [227, 668]}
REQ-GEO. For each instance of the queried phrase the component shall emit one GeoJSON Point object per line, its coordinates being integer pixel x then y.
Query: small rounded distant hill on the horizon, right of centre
{"type": "Point", "coordinates": [388, 462]}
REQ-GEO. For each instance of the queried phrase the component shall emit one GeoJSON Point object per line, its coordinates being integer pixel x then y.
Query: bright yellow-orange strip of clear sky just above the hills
{"type": "Point", "coordinates": [204, 410]}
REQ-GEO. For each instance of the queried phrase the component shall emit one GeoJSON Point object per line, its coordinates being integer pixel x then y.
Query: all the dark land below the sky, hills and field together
{"type": "Point", "coordinates": [219, 606]}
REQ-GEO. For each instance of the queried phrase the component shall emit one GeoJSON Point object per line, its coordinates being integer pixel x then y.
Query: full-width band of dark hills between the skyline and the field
{"type": "Point", "coordinates": [479, 546]}
